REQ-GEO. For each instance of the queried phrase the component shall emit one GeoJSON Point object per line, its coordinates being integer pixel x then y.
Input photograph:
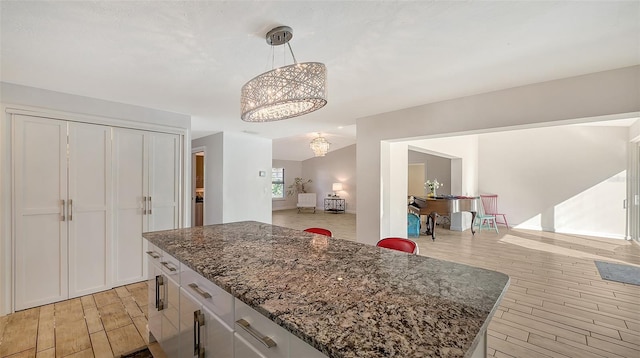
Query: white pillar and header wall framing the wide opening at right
{"type": "Point", "coordinates": [609, 94]}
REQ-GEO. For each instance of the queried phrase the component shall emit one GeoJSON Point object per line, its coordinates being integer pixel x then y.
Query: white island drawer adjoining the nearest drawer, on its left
{"type": "Point", "coordinates": [211, 296]}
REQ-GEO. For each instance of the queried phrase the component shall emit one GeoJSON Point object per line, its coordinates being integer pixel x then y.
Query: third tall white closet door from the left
{"type": "Point", "coordinates": [128, 158]}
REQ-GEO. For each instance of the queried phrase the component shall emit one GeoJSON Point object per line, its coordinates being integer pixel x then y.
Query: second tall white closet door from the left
{"type": "Point", "coordinates": [89, 208]}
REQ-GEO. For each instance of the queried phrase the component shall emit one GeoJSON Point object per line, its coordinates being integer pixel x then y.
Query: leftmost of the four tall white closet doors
{"type": "Point", "coordinates": [40, 186]}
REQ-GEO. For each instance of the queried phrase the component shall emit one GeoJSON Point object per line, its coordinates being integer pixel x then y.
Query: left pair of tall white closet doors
{"type": "Point", "coordinates": [62, 198]}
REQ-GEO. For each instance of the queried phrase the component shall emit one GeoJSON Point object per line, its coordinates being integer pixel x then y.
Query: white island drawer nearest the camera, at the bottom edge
{"type": "Point", "coordinates": [261, 332]}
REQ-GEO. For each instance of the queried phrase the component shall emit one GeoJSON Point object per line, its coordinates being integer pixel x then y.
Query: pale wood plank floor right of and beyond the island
{"type": "Point", "coordinates": [556, 306]}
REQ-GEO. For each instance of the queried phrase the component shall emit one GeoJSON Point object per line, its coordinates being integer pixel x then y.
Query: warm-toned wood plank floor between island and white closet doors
{"type": "Point", "coordinates": [105, 324]}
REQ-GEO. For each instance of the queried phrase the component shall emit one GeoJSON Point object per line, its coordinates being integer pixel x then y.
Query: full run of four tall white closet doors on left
{"type": "Point", "coordinates": [82, 196]}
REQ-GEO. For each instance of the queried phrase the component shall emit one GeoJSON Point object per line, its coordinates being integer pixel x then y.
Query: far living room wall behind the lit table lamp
{"type": "Point", "coordinates": [337, 166]}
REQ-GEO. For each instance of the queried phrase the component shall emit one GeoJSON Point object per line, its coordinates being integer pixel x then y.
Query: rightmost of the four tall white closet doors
{"type": "Point", "coordinates": [164, 167]}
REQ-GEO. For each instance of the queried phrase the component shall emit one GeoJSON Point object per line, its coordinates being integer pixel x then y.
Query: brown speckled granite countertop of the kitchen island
{"type": "Point", "coordinates": [343, 298]}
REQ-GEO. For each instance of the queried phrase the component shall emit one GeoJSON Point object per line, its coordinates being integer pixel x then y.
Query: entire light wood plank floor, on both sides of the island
{"type": "Point", "coordinates": [556, 306]}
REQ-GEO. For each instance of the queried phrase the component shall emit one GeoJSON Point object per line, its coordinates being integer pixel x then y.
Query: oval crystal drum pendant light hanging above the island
{"type": "Point", "coordinates": [287, 91]}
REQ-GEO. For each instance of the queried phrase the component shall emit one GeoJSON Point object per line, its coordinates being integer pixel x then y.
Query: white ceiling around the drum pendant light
{"type": "Point", "coordinates": [192, 57]}
